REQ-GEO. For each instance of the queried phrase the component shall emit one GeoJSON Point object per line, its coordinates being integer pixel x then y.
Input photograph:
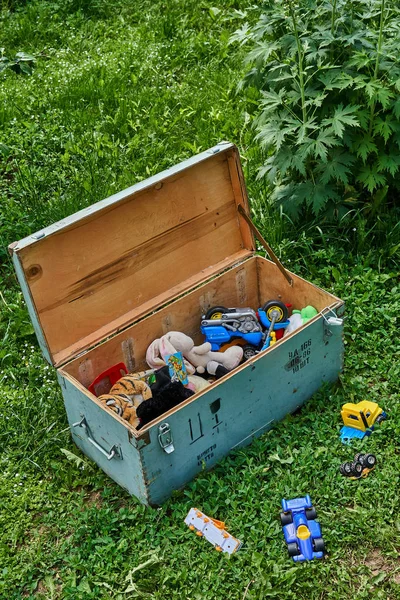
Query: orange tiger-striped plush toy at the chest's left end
{"type": "Point", "coordinates": [125, 396]}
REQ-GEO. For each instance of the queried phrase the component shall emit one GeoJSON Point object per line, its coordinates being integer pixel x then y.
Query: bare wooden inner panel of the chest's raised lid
{"type": "Point", "coordinates": [98, 272]}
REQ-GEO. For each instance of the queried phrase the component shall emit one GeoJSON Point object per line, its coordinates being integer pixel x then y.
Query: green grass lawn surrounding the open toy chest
{"type": "Point", "coordinates": [120, 91]}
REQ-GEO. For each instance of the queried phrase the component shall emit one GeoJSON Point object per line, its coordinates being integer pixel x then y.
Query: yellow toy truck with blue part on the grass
{"type": "Point", "coordinates": [359, 419]}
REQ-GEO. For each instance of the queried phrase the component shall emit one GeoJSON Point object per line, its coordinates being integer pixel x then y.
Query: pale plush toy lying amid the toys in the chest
{"type": "Point", "coordinates": [197, 357]}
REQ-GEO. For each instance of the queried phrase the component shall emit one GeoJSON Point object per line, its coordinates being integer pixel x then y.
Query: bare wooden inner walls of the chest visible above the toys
{"type": "Point", "coordinates": [252, 283]}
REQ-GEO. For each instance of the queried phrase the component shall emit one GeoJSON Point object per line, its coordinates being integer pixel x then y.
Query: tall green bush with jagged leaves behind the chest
{"type": "Point", "coordinates": [329, 75]}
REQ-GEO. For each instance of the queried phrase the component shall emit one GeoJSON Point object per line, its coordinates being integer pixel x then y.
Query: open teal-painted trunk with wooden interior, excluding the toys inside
{"type": "Point", "coordinates": [103, 283]}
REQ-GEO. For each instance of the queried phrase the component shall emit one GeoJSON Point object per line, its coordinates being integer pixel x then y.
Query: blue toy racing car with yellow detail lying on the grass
{"type": "Point", "coordinates": [302, 532]}
